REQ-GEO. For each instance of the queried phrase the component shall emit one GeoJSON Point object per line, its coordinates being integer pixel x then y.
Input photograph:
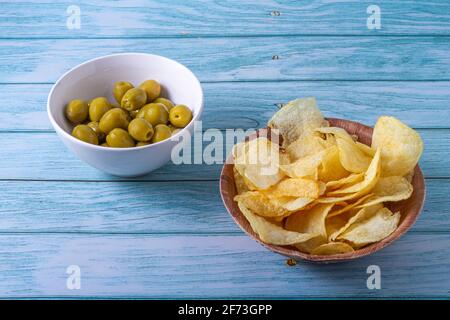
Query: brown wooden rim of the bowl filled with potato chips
{"type": "Point", "coordinates": [289, 251]}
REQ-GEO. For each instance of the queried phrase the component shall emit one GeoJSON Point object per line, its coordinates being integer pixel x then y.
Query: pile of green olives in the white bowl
{"type": "Point", "coordinates": [142, 117]}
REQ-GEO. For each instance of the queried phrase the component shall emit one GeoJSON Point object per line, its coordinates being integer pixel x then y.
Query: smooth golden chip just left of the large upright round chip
{"type": "Point", "coordinates": [352, 158]}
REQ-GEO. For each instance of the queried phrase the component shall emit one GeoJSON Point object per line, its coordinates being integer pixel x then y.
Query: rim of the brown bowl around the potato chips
{"type": "Point", "coordinates": [291, 252]}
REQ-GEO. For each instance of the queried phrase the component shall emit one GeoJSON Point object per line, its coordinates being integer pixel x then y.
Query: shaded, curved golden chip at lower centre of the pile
{"type": "Point", "coordinates": [309, 221]}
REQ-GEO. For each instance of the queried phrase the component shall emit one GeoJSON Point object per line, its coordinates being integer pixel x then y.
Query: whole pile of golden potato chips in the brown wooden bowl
{"type": "Point", "coordinates": [322, 191]}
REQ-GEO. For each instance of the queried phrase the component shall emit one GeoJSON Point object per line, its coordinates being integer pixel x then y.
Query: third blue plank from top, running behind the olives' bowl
{"type": "Point", "coordinates": [416, 103]}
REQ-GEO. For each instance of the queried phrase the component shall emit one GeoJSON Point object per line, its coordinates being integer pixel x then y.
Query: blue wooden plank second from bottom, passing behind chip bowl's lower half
{"type": "Point", "coordinates": [150, 207]}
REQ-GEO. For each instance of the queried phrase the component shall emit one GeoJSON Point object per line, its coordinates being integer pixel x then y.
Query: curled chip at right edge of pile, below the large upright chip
{"type": "Point", "coordinates": [389, 189]}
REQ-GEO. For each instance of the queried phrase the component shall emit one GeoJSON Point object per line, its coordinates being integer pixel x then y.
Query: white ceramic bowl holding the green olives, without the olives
{"type": "Point", "coordinates": [95, 78]}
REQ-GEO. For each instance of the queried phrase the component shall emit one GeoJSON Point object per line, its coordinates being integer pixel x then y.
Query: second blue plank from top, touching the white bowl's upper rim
{"type": "Point", "coordinates": [250, 59]}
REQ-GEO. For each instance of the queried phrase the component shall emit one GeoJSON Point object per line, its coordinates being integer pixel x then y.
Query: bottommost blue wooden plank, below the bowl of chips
{"type": "Point", "coordinates": [172, 266]}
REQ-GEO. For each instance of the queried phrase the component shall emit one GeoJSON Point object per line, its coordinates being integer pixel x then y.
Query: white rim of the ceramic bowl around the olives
{"type": "Point", "coordinates": [60, 130]}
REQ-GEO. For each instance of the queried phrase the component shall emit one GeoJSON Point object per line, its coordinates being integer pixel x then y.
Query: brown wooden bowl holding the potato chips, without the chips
{"type": "Point", "coordinates": [409, 208]}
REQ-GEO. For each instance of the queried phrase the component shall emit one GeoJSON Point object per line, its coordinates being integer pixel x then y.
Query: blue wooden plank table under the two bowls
{"type": "Point", "coordinates": [167, 235]}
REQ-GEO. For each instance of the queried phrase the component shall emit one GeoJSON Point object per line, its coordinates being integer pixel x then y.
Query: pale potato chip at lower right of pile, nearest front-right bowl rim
{"type": "Point", "coordinates": [375, 228]}
